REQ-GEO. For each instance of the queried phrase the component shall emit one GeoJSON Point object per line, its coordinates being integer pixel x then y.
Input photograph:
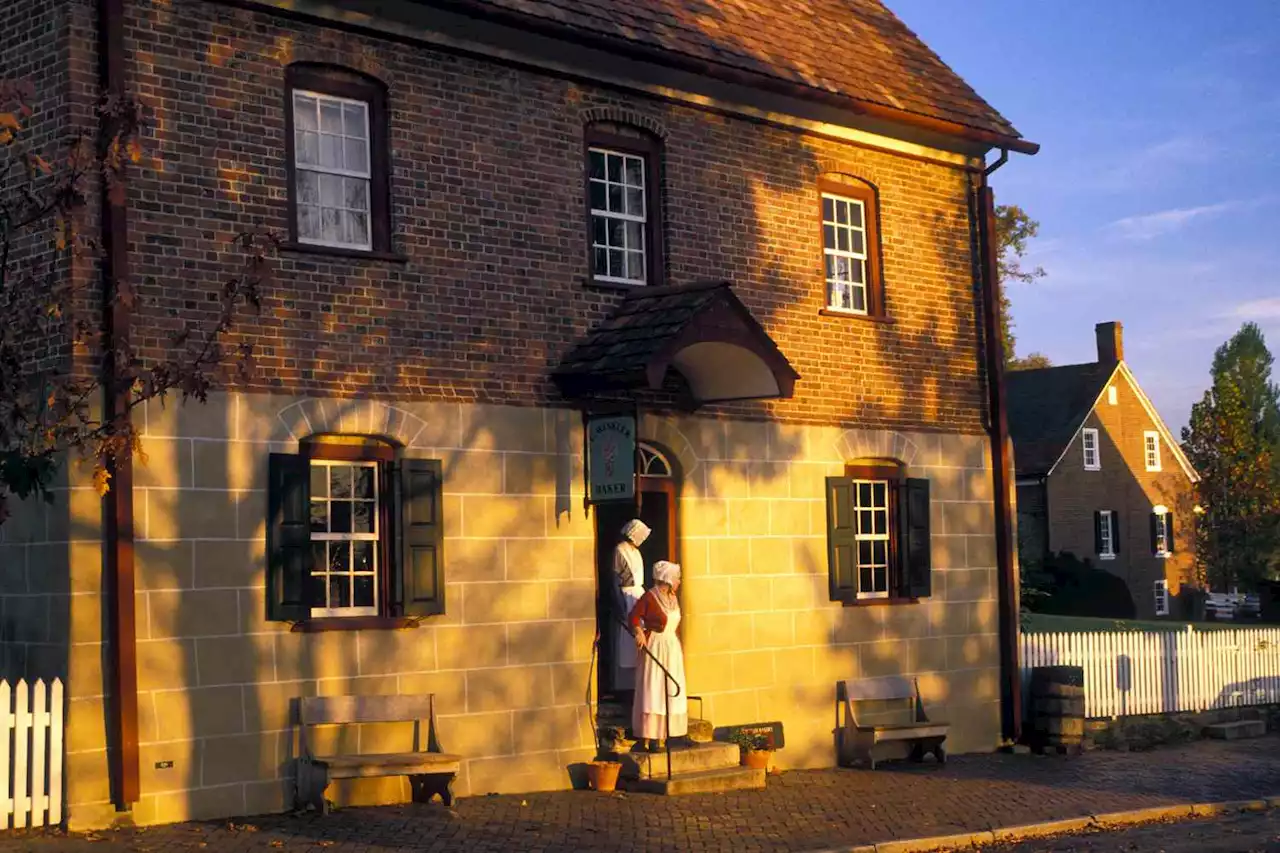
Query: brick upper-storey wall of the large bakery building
{"type": "Point", "coordinates": [488, 207]}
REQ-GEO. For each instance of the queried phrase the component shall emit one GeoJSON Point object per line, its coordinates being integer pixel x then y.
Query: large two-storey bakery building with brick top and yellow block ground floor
{"type": "Point", "coordinates": [477, 197]}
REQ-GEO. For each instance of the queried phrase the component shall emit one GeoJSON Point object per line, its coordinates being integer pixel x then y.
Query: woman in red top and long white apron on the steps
{"type": "Point", "coordinates": [661, 709]}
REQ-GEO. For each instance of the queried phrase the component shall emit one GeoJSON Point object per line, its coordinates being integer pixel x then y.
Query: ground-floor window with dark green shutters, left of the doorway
{"type": "Point", "coordinates": [355, 532]}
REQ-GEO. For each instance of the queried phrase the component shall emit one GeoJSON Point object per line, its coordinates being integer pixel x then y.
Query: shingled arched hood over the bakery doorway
{"type": "Point", "coordinates": [703, 332]}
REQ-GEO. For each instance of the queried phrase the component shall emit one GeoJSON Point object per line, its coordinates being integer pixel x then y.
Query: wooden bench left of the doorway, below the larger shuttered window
{"type": "Point", "coordinates": [431, 772]}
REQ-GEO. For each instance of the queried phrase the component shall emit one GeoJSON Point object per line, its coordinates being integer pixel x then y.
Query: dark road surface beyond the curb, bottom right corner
{"type": "Point", "coordinates": [1247, 833]}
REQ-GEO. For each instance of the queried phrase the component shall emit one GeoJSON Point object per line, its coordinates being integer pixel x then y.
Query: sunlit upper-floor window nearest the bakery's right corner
{"type": "Point", "coordinates": [851, 247]}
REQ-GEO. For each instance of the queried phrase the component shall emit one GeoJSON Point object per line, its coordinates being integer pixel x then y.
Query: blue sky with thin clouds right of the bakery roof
{"type": "Point", "coordinates": [1158, 186]}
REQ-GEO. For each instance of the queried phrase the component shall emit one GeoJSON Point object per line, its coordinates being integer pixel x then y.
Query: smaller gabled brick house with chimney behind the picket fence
{"type": "Point", "coordinates": [1101, 477]}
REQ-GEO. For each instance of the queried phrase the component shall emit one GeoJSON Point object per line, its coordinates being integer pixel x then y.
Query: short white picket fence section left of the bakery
{"type": "Point", "coordinates": [31, 755]}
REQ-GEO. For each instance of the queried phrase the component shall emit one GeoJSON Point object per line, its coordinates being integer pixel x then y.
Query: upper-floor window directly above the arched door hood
{"type": "Point", "coordinates": [624, 211]}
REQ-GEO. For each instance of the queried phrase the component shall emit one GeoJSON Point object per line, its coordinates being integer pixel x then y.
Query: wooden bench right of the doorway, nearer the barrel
{"type": "Point", "coordinates": [903, 714]}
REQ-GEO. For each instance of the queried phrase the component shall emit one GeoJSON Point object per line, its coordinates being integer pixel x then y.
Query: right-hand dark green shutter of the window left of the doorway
{"type": "Point", "coordinates": [422, 533]}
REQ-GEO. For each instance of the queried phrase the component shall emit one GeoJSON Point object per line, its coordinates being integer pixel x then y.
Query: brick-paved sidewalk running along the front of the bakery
{"type": "Point", "coordinates": [799, 811]}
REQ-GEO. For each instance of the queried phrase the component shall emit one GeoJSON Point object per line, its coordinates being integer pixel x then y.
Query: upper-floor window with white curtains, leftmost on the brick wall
{"type": "Point", "coordinates": [337, 159]}
